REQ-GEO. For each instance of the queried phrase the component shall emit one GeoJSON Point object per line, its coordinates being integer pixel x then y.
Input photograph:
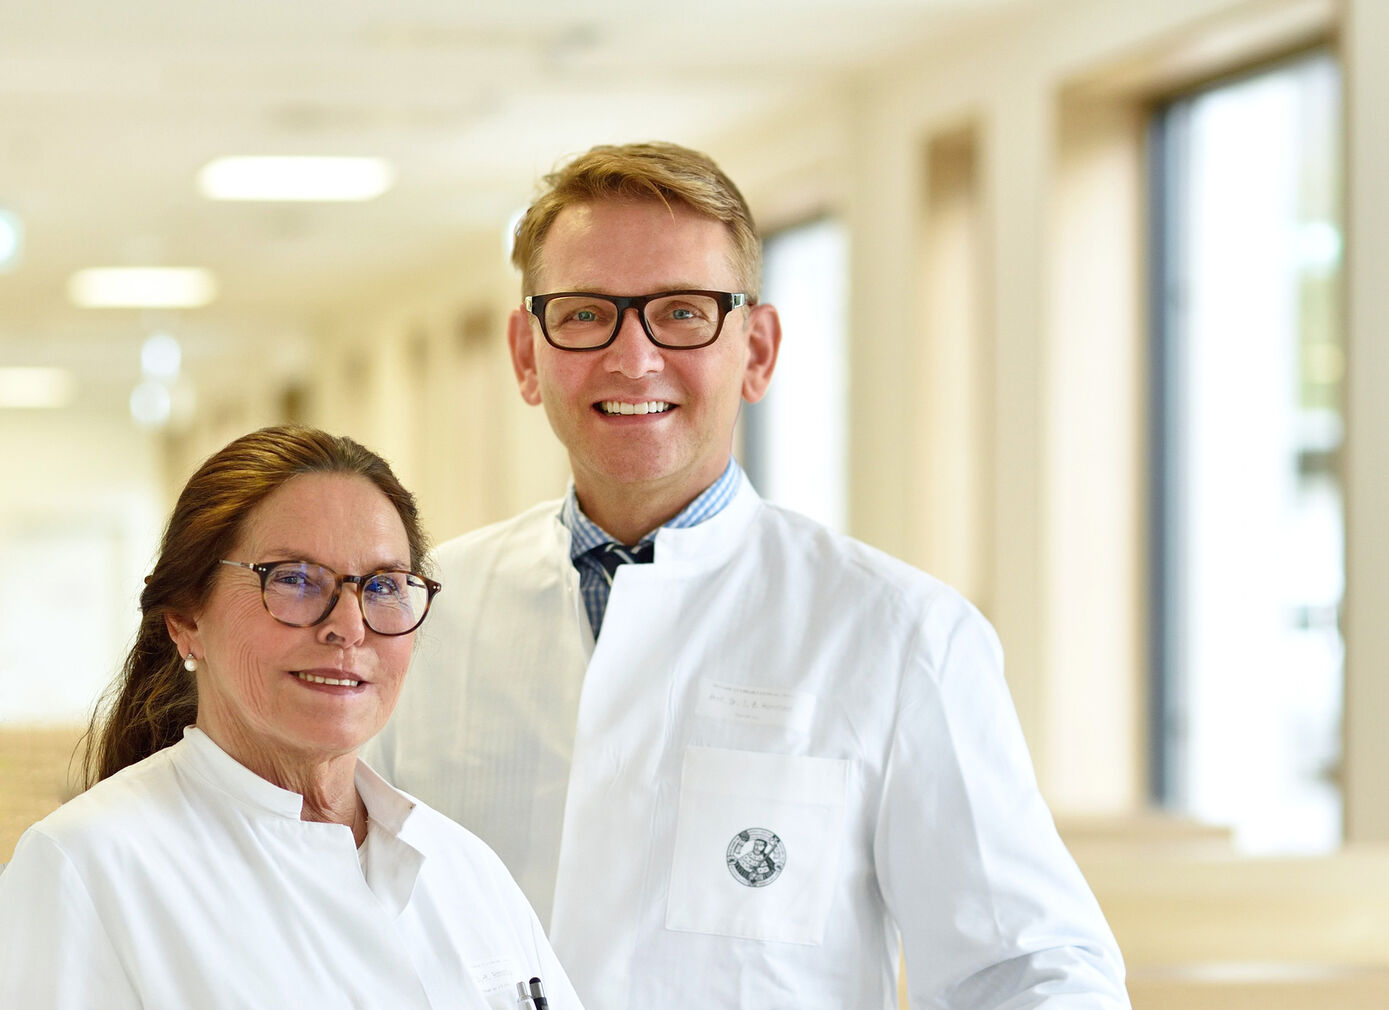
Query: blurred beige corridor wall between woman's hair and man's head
{"type": "Point", "coordinates": [434, 391]}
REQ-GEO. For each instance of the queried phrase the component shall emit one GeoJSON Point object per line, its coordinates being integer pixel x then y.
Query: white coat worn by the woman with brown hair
{"type": "Point", "coordinates": [190, 881]}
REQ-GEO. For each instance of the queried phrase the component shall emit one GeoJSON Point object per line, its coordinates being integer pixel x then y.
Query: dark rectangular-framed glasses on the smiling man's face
{"type": "Point", "coordinates": [672, 320]}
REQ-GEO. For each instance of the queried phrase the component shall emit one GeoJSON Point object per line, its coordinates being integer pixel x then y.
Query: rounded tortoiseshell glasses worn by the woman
{"type": "Point", "coordinates": [302, 594]}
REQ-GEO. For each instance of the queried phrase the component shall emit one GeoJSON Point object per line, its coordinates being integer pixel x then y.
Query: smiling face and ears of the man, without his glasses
{"type": "Point", "coordinates": [681, 444]}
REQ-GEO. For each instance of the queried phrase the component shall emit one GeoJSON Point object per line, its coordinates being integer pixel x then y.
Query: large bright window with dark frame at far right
{"type": "Point", "coordinates": [1249, 562]}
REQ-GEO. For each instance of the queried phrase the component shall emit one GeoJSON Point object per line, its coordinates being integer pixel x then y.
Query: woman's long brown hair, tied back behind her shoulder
{"type": "Point", "coordinates": [155, 698]}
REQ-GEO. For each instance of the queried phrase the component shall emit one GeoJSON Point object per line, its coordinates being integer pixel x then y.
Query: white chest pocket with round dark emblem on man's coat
{"type": "Point", "coordinates": [758, 845]}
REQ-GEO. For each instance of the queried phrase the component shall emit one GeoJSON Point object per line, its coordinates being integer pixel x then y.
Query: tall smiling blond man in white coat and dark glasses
{"type": "Point", "coordinates": [622, 726]}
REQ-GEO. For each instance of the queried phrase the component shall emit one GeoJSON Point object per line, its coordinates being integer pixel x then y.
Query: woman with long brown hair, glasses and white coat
{"type": "Point", "coordinates": [234, 852]}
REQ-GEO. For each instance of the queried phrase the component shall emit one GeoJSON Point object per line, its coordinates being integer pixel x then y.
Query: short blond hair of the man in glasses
{"type": "Point", "coordinates": [642, 172]}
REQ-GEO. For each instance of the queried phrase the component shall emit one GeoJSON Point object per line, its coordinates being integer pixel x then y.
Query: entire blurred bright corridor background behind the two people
{"type": "Point", "coordinates": [1083, 313]}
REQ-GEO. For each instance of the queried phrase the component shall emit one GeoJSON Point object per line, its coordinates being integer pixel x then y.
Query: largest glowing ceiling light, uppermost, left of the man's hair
{"type": "Point", "coordinates": [295, 179]}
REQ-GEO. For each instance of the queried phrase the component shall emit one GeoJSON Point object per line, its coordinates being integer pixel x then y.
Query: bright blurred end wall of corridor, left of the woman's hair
{"type": "Point", "coordinates": [80, 520]}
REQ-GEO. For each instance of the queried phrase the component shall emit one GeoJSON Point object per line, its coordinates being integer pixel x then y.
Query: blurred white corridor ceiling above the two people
{"type": "Point", "coordinates": [108, 110]}
